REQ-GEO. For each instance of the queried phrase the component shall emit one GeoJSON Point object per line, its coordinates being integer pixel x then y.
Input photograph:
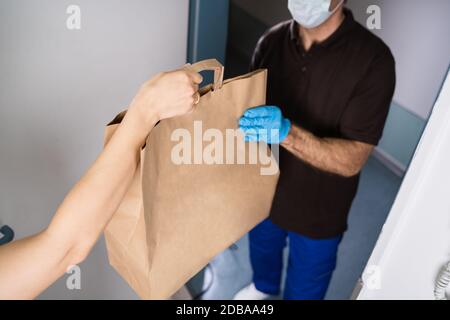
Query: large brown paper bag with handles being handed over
{"type": "Point", "coordinates": [177, 217]}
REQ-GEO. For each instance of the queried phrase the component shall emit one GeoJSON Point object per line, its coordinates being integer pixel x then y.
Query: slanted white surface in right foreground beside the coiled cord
{"type": "Point", "coordinates": [415, 242]}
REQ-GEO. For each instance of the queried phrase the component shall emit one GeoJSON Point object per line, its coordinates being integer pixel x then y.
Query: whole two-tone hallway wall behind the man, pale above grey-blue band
{"type": "Point", "coordinates": [417, 32]}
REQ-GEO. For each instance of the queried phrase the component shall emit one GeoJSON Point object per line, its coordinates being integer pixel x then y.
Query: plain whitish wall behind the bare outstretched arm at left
{"type": "Point", "coordinates": [58, 88]}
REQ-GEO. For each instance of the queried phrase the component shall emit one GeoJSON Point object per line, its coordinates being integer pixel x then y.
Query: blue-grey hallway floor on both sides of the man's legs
{"type": "Point", "coordinates": [231, 270]}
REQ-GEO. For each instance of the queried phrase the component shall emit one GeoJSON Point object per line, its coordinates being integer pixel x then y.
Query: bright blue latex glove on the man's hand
{"type": "Point", "coordinates": [265, 123]}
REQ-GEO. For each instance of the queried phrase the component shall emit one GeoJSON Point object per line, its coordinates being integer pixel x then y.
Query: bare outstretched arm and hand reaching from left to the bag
{"type": "Point", "coordinates": [30, 265]}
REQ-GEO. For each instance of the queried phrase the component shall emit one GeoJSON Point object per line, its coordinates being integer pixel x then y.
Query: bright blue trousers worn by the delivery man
{"type": "Point", "coordinates": [310, 265]}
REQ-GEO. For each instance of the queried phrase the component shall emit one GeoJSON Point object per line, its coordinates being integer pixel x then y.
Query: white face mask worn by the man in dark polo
{"type": "Point", "coordinates": [311, 13]}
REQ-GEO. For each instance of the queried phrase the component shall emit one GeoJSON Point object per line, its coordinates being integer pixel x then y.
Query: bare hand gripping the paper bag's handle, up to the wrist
{"type": "Point", "coordinates": [168, 94]}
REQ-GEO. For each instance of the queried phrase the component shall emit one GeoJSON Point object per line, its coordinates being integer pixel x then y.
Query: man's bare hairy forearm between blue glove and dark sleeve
{"type": "Point", "coordinates": [343, 157]}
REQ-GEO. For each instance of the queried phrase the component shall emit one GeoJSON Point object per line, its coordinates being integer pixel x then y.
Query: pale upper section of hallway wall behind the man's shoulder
{"type": "Point", "coordinates": [418, 34]}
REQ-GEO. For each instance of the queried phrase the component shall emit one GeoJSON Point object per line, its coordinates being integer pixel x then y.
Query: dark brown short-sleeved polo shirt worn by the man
{"type": "Point", "coordinates": [340, 88]}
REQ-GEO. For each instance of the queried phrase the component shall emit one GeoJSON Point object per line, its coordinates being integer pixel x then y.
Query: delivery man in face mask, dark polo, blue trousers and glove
{"type": "Point", "coordinates": [330, 85]}
